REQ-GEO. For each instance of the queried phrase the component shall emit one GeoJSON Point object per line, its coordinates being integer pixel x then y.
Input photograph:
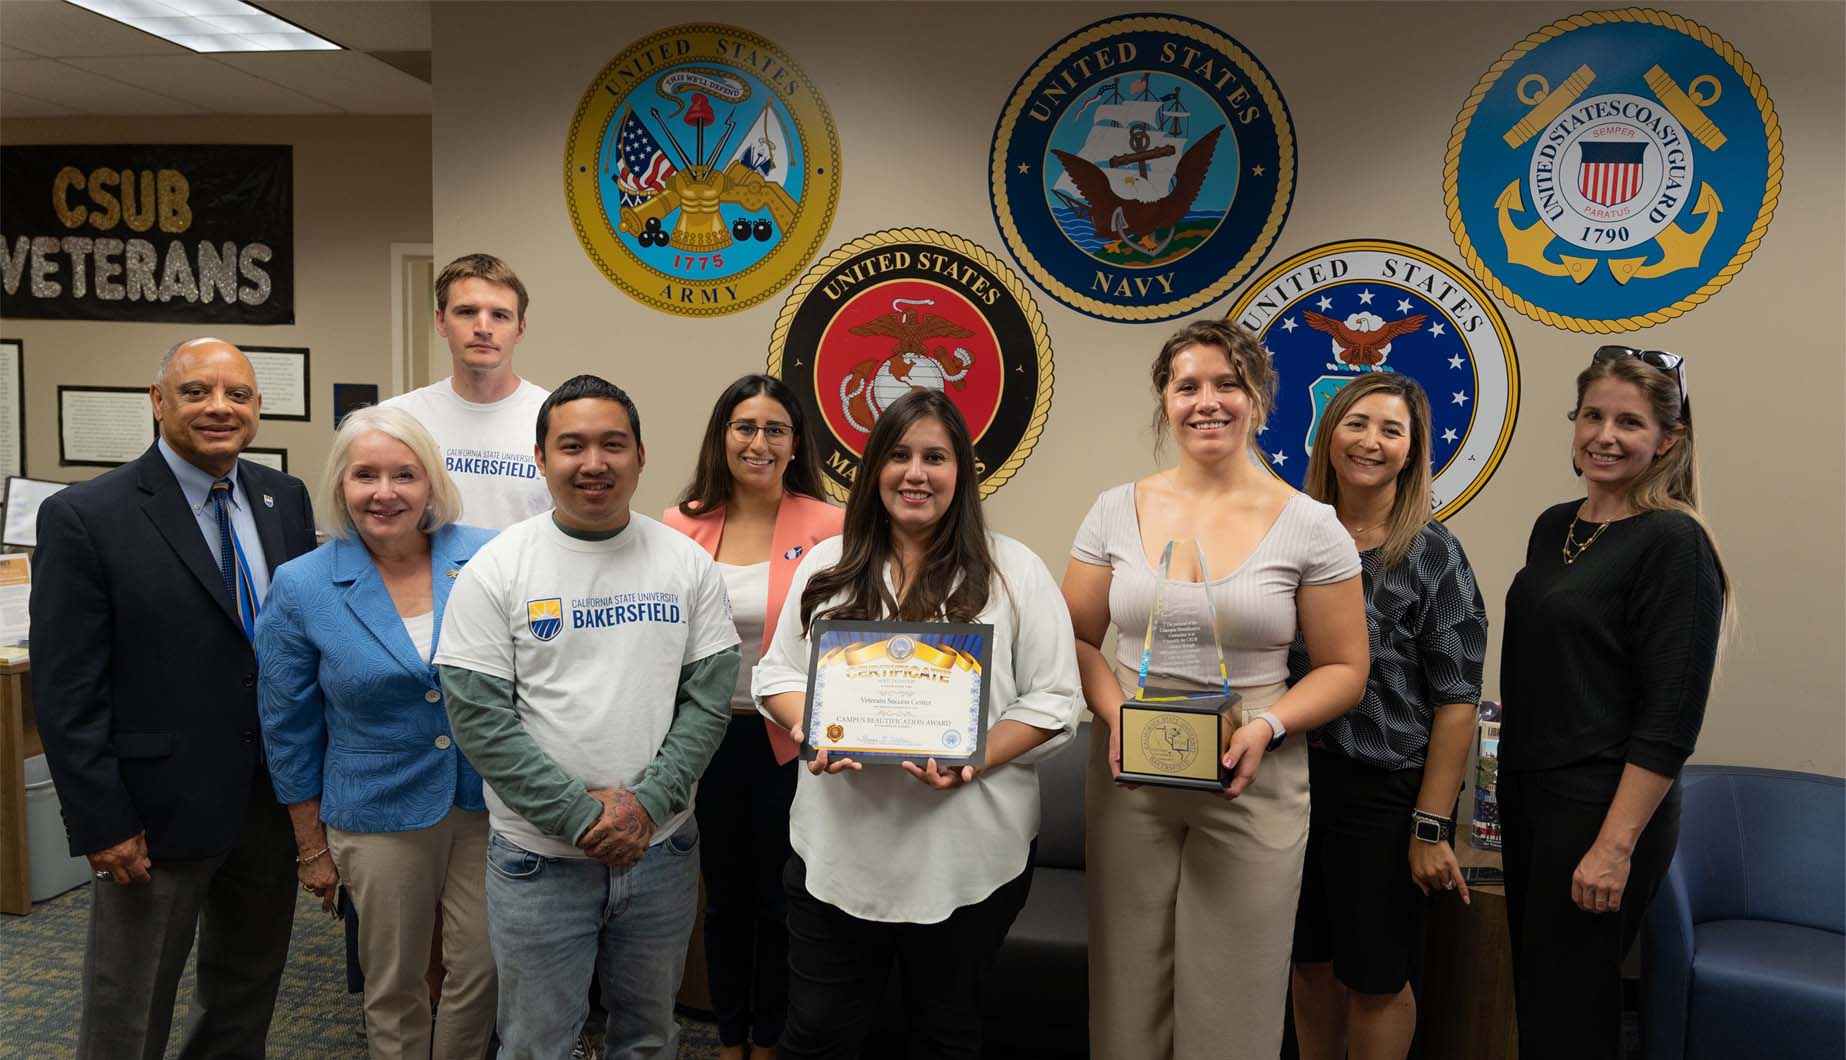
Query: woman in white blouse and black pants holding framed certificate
{"type": "Point", "coordinates": [907, 858]}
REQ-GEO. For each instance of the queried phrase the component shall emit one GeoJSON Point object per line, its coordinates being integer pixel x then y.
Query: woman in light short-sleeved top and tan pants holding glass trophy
{"type": "Point", "coordinates": [1193, 895]}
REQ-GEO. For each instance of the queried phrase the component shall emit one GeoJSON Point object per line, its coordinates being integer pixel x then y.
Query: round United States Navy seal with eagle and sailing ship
{"type": "Point", "coordinates": [1142, 167]}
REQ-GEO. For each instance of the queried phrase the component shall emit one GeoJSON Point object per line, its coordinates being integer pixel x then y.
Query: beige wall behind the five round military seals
{"type": "Point", "coordinates": [915, 93]}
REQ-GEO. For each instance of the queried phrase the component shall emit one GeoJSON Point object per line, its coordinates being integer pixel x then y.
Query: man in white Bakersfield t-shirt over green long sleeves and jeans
{"type": "Point", "coordinates": [590, 660]}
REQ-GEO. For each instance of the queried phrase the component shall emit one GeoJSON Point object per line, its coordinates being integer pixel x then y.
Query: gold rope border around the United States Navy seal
{"type": "Point", "coordinates": [1265, 241]}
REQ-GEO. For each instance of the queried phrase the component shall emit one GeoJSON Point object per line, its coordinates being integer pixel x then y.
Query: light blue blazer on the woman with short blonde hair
{"type": "Point", "coordinates": [350, 710]}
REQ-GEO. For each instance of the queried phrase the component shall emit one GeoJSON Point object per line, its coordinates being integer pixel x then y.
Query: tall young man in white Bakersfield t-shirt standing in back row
{"type": "Point", "coordinates": [483, 415]}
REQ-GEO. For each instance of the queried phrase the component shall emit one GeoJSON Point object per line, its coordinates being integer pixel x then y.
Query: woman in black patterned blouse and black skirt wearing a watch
{"type": "Point", "coordinates": [1385, 777]}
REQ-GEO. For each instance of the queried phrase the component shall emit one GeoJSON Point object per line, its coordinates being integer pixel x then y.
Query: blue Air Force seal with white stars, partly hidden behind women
{"type": "Point", "coordinates": [1371, 306]}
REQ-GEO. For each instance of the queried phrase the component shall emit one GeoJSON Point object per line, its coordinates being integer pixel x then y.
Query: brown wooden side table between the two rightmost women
{"type": "Point", "coordinates": [1467, 1007]}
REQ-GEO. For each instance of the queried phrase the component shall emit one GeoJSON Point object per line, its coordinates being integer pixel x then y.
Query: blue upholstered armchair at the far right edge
{"type": "Point", "coordinates": [1745, 946]}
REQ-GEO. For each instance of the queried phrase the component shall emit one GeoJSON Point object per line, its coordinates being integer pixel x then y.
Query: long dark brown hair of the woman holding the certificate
{"type": "Point", "coordinates": [957, 572]}
